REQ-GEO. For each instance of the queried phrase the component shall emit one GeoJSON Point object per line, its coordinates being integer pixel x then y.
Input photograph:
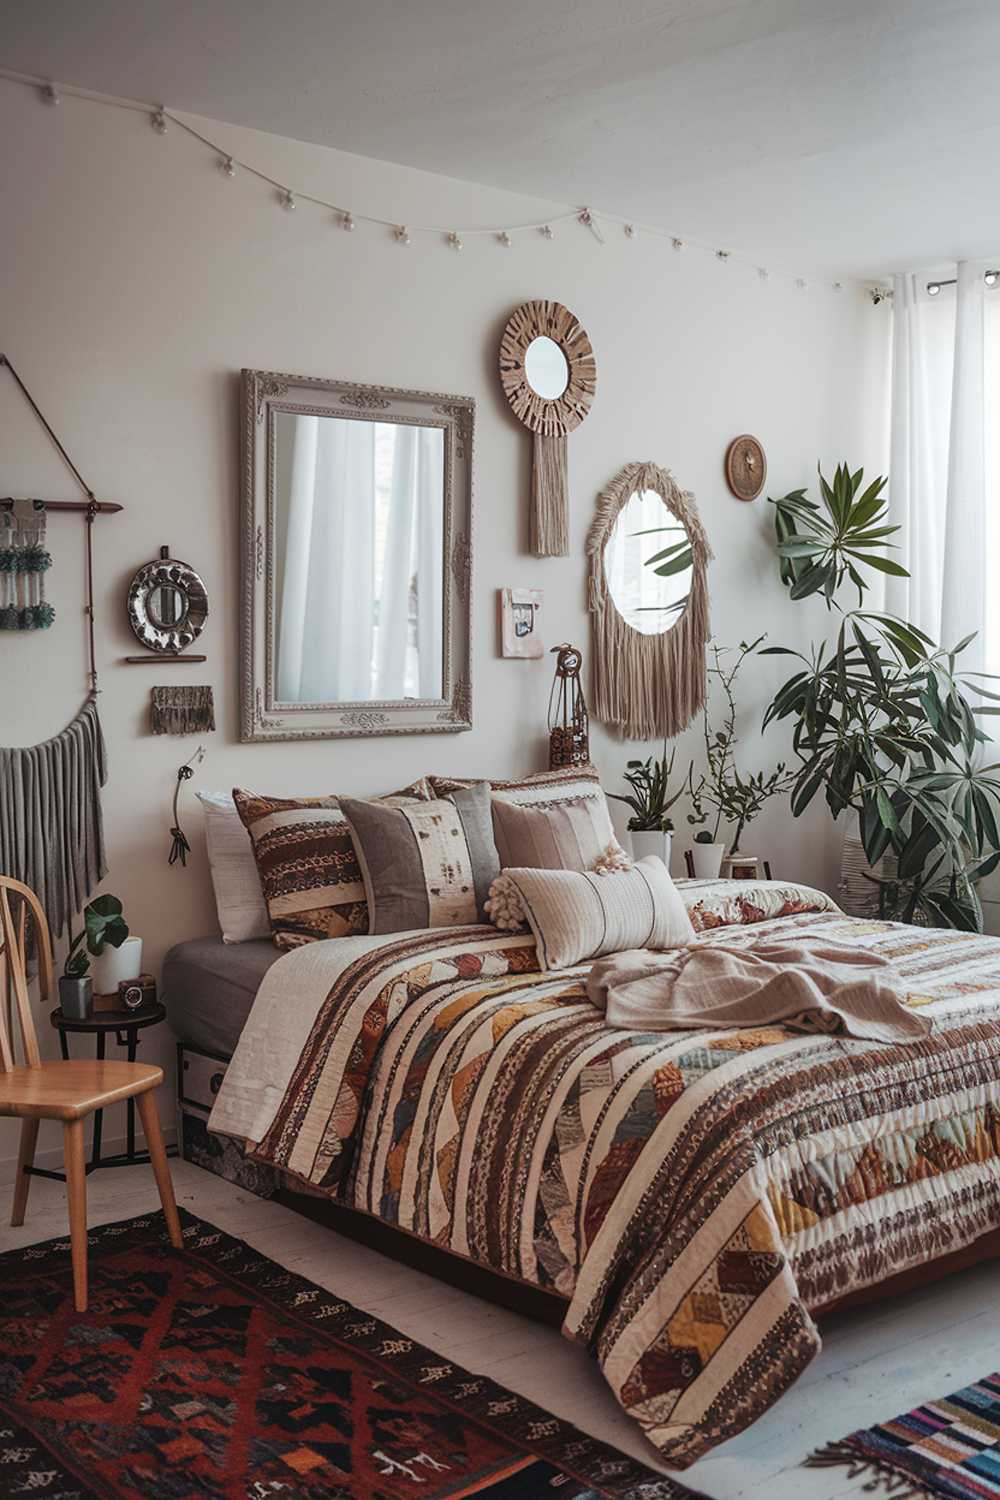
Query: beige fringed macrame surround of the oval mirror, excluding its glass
{"type": "Point", "coordinates": [648, 688]}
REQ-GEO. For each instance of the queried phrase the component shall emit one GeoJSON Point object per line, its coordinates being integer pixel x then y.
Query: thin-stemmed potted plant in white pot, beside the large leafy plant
{"type": "Point", "coordinates": [725, 791]}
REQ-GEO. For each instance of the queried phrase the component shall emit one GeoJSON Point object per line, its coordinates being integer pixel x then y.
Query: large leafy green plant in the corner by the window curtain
{"type": "Point", "coordinates": [882, 722]}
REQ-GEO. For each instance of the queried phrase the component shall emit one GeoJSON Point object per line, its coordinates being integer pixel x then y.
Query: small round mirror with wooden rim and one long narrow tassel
{"type": "Point", "coordinates": [549, 377]}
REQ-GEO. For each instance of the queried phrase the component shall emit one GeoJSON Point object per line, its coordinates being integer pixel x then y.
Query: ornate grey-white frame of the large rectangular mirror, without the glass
{"type": "Point", "coordinates": [263, 718]}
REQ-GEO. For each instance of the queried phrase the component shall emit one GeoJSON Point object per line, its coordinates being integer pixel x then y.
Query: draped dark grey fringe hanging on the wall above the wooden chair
{"type": "Point", "coordinates": [52, 832]}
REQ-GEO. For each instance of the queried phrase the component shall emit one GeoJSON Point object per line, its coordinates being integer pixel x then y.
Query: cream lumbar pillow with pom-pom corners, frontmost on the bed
{"type": "Point", "coordinates": [582, 914]}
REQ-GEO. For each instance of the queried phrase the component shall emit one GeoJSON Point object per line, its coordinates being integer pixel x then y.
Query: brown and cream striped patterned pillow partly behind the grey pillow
{"type": "Point", "coordinates": [308, 866]}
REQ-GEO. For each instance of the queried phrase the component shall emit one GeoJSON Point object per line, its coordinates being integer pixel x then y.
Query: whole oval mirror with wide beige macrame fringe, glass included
{"type": "Point", "coordinates": [648, 557]}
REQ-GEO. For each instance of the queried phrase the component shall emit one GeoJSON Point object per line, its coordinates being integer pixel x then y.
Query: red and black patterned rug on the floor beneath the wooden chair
{"type": "Point", "coordinates": [215, 1373]}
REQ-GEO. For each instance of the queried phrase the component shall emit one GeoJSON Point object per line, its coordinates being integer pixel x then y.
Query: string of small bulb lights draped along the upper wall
{"type": "Point", "coordinates": [587, 218]}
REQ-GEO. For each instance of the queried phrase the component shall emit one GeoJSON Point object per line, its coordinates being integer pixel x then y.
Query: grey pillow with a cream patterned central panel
{"type": "Point", "coordinates": [427, 865]}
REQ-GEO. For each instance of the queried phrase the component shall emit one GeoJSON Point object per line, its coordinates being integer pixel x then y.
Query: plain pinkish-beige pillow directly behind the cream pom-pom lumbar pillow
{"type": "Point", "coordinates": [564, 835]}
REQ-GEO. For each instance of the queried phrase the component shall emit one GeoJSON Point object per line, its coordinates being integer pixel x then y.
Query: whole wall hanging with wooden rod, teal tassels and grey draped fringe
{"type": "Point", "coordinates": [52, 827]}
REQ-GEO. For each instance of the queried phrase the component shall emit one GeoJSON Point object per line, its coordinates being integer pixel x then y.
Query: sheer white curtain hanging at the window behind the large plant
{"type": "Point", "coordinates": [942, 482]}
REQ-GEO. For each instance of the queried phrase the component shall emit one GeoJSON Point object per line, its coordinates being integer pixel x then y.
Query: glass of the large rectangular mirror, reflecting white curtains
{"type": "Point", "coordinates": [361, 613]}
